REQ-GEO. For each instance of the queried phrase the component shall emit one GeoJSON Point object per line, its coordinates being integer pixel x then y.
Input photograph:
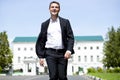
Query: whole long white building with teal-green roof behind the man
{"type": "Point", "coordinates": [88, 53]}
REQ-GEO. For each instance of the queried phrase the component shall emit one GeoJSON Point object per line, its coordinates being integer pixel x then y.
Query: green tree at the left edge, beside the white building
{"type": "Point", "coordinates": [5, 52]}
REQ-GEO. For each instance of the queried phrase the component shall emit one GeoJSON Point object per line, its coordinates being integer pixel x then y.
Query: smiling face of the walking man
{"type": "Point", "coordinates": [54, 9]}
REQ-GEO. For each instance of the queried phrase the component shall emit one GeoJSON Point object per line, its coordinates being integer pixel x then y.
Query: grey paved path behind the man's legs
{"type": "Point", "coordinates": [40, 77]}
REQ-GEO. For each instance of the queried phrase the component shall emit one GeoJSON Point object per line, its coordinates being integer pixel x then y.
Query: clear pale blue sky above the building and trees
{"type": "Point", "coordinates": [21, 18]}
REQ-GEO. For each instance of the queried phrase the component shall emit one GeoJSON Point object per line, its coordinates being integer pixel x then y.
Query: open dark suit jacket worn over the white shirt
{"type": "Point", "coordinates": [67, 37]}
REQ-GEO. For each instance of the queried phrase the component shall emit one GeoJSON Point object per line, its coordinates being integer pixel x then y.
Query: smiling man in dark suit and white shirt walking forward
{"type": "Point", "coordinates": [55, 43]}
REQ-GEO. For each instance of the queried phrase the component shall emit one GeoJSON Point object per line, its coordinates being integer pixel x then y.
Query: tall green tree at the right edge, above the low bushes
{"type": "Point", "coordinates": [112, 49]}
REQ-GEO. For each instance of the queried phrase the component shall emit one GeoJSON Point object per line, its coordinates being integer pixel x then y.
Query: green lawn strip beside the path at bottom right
{"type": "Point", "coordinates": [107, 76]}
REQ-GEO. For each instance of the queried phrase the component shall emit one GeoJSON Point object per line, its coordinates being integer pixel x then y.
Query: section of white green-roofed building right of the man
{"type": "Point", "coordinates": [88, 52]}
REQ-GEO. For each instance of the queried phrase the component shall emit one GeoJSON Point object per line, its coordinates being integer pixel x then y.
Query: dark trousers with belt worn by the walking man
{"type": "Point", "coordinates": [57, 64]}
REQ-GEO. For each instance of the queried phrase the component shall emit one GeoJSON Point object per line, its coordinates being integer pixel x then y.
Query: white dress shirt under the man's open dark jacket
{"type": "Point", "coordinates": [54, 35]}
